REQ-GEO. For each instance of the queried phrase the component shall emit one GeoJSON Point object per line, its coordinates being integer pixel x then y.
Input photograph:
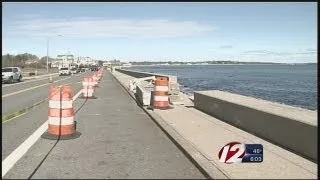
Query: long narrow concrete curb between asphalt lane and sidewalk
{"type": "Point", "coordinates": [197, 158]}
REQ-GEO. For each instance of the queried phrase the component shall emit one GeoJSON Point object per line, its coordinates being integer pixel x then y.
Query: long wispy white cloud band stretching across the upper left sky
{"type": "Point", "coordinates": [106, 28]}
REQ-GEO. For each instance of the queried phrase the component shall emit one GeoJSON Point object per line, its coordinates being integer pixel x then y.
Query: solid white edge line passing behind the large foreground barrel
{"type": "Point", "coordinates": [11, 160]}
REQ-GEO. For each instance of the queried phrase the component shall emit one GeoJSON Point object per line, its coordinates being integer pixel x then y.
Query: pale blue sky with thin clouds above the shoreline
{"type": "Point", "coordinates": [269, 32]}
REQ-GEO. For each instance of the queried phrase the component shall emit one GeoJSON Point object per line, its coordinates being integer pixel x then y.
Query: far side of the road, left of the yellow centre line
{"type": "Point", "coordinates": [23, 95]}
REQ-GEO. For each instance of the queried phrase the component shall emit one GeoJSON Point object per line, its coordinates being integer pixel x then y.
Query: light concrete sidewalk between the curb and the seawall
{"type": "Point", "coordinates": [205, 135]}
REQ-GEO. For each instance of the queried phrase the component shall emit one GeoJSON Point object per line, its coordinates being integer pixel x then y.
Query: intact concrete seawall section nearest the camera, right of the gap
{"type": "Point", "coordinates": [290, 127]}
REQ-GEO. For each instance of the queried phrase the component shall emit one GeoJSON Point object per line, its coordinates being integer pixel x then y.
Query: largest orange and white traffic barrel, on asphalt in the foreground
{"type": "Point", "coordinates": [61, 124]}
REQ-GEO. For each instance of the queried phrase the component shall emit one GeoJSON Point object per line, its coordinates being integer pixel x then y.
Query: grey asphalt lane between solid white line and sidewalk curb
{"type": "Point", "coordinates": [118, 141]}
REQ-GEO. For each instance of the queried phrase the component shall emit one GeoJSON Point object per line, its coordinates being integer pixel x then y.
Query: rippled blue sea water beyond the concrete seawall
{"type": "Point", "coordinates": [294, 85]}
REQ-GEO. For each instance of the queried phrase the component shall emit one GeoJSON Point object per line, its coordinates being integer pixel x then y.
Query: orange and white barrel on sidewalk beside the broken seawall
{"type": "Point", "coordinates": [161, 89]}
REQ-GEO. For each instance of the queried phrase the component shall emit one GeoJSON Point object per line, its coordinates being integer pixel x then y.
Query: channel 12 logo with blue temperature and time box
{"type": "Point", "coordinates": [236, 152]}
